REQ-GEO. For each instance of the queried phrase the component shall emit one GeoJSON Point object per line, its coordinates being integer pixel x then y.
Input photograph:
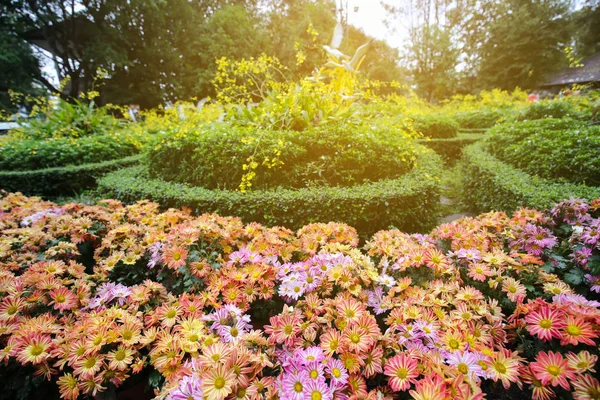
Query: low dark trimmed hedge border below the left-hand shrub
{"type": "Point", "coordinates": [61, 180]}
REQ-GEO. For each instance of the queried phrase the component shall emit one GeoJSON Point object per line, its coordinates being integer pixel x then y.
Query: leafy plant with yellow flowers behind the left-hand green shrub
{"type": "Point", "coordinates": [68, 120]}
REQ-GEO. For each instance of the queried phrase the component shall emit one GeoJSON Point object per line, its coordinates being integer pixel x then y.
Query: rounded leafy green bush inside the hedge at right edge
{"type": "Point", "coordinates": [553, 149]}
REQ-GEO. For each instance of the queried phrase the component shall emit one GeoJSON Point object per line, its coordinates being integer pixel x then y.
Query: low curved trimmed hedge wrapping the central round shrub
{"type": "Point", "coordinates": [409, 202]}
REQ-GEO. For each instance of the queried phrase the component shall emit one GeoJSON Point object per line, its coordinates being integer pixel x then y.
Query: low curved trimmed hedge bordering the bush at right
{"type": "Point", "coordinates": [490, 184]}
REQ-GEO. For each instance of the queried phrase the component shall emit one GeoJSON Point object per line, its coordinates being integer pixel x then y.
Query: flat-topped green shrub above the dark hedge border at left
{"type": "Point", "coordinates": [29, 154]}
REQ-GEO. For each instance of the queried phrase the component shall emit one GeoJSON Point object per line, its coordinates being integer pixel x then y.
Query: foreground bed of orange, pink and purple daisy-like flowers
{"type": "Point", "coordinates": [211, 308]}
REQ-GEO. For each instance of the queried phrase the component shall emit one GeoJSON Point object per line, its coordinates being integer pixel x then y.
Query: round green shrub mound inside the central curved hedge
{"type": "Point", "coordinates": [340, 155]}
